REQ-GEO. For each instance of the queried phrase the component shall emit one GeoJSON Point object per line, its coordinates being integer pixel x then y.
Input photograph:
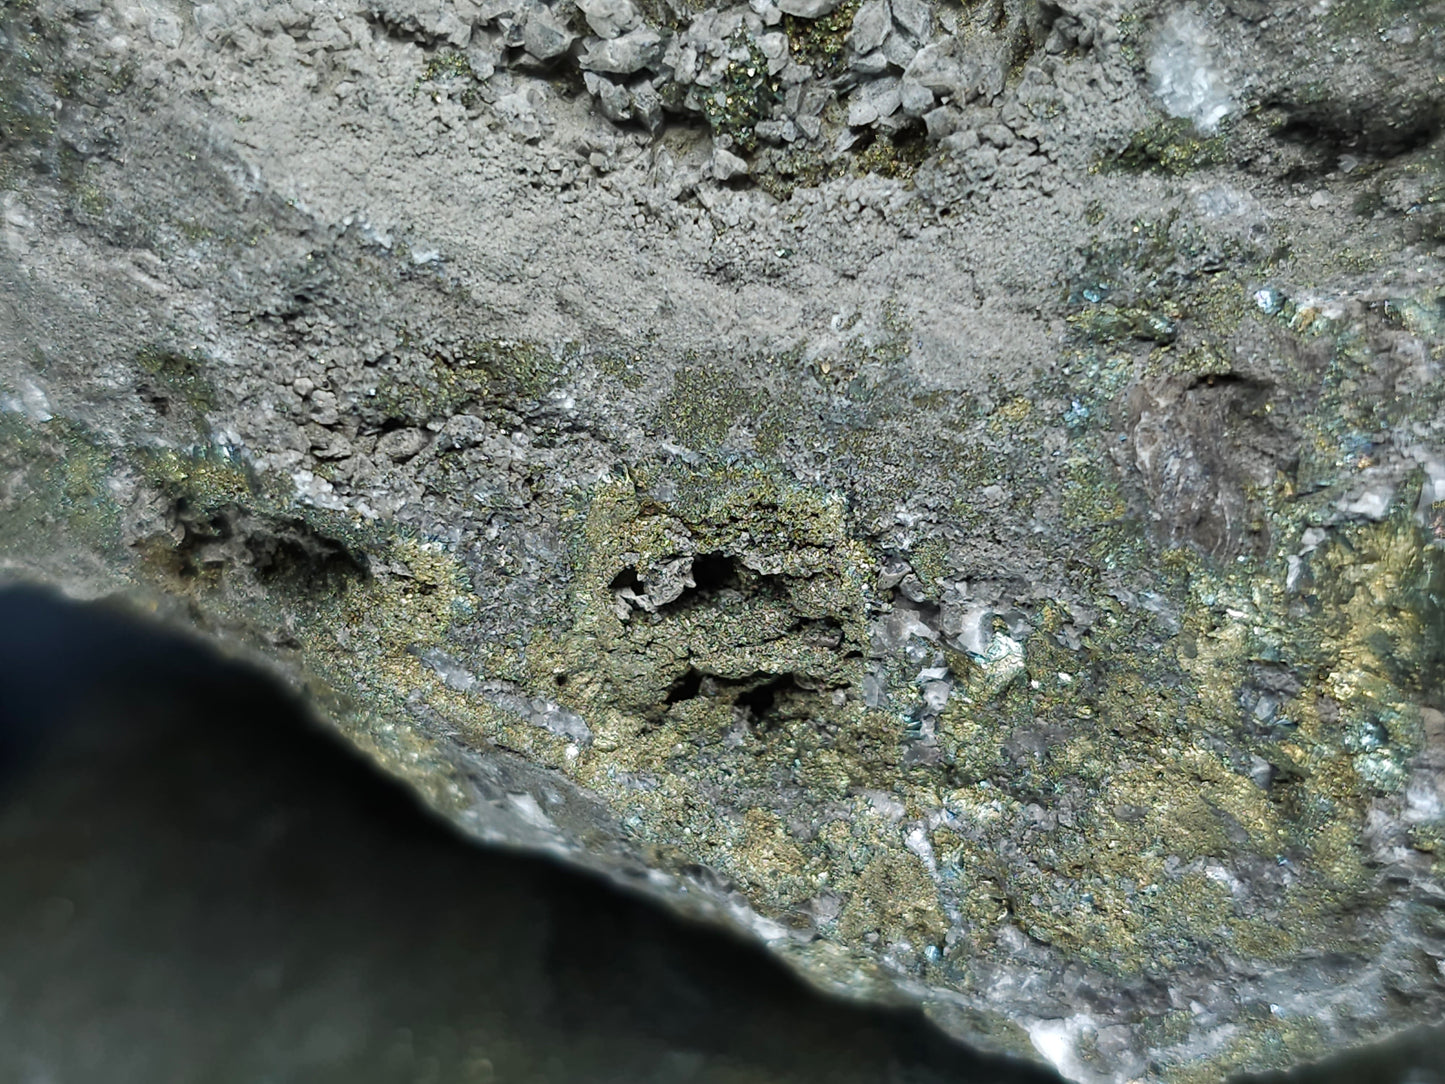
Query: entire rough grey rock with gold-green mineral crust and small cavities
{"type": "Point", "coordinates": [953, 491]}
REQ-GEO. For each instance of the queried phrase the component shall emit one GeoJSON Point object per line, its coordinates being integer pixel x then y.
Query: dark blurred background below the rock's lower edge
{"type": "Point", "coordinates": [200, 885]}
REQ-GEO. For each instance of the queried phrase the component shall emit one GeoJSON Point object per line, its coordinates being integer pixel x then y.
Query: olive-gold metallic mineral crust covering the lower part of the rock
{"type": "Point", "coordinates": [729, 729]}
